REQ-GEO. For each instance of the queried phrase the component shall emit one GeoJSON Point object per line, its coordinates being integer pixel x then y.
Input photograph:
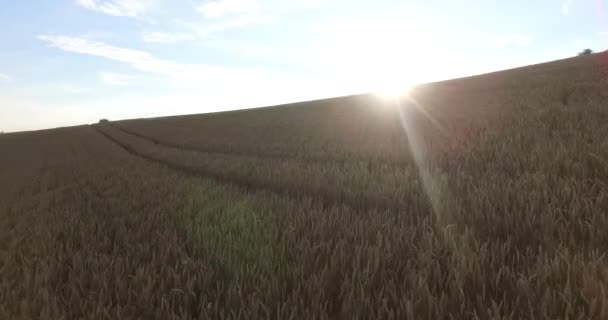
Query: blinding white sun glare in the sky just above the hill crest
{"type": "Point", "coordinates": [385, 63]}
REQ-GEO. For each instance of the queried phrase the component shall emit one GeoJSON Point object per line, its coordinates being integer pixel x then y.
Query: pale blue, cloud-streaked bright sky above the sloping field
{"type": "Point", "coordinates": [70, 62]}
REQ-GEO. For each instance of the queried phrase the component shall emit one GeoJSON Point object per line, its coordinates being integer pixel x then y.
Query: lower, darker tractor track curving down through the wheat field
{"type": "Point", "coordinates": [253, 185]}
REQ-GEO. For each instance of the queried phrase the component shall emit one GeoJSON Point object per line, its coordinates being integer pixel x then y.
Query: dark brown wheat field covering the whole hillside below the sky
{"type": "Point", "coordinates": [475, 198]}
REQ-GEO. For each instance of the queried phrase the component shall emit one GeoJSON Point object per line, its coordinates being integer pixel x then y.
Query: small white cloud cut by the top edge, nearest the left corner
{"type": "Point", "coordinates": [118, 8]}
